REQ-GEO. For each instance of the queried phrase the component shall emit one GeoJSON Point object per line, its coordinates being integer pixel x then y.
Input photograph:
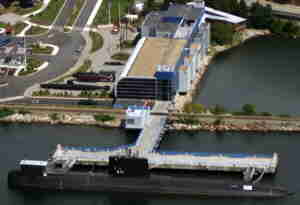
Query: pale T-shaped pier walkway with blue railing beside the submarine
{"type": "Point", "coordinates": [149, 139]}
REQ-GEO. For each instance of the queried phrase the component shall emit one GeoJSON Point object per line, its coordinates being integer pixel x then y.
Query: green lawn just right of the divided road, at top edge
{"type": "Point", "coordinates": [102, 15]}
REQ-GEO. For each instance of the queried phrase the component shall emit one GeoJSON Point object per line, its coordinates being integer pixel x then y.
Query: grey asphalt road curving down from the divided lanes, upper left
{"type": "Point", "coordinates": [59, 64]}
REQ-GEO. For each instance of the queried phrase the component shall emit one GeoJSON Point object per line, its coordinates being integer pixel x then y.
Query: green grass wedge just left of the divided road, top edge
{"type": "Point", "coordinates": [48, 15]}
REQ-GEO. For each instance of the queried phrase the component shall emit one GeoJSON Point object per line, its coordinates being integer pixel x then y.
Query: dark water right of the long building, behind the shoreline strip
{"type": "Point", "coordinates": [263, 71]}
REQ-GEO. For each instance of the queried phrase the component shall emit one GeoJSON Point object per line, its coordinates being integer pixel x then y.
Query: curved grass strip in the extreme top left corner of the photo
{"type": "Point", "coordinates": [15, 8]}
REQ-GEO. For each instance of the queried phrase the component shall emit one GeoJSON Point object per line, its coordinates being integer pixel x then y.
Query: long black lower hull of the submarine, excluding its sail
{"type": "Point", "coordinates": [151, 185]}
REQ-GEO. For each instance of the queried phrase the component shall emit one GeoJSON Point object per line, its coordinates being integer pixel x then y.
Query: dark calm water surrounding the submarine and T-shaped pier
{"type": "Point", "coordinates": [36, 141]}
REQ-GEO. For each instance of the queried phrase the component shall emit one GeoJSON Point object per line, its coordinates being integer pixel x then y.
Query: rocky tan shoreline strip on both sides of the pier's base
{"type": "Point", "coordinates": [211, 123]}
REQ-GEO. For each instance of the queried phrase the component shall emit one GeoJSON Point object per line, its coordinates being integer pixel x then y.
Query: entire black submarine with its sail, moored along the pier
{"type": "Point", "coordinates": [130, 175]}
